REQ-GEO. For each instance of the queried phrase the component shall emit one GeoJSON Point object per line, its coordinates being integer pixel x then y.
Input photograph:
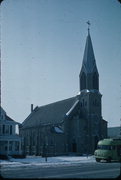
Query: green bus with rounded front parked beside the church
{"type": "Point", "coordinates": [108, 149]}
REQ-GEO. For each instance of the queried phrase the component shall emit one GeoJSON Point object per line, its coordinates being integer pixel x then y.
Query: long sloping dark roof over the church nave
{"type": "Point", "coordinates": [53, 113]}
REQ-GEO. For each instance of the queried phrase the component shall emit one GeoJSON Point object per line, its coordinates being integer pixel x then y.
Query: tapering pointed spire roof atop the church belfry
{"type": "Point", "coordinates": [89, 62]}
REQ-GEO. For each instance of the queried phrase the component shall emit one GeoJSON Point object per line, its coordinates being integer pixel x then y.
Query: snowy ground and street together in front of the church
{"type": "Point", "coordinates": [58, 167]}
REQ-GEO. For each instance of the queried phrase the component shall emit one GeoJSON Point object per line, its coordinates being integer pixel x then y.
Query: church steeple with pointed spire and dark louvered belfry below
{"type": "Point", "coordinates": [89, 77]}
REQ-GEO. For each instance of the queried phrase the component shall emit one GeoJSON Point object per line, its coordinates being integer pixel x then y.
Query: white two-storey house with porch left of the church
{"type": "Point", "coordinates": [10, 141]}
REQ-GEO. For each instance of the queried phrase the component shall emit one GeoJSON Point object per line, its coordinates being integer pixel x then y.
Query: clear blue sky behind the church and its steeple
{"type": "Point", "coordinates": [42, 45]}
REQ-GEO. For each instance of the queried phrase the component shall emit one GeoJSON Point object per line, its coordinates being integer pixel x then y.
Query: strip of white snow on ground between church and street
{"type": "Point", "coordinates": [41, 161]}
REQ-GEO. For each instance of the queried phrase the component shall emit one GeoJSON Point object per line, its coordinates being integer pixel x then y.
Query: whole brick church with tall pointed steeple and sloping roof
{"type": "Point", "coordinates": [69, 126]}
